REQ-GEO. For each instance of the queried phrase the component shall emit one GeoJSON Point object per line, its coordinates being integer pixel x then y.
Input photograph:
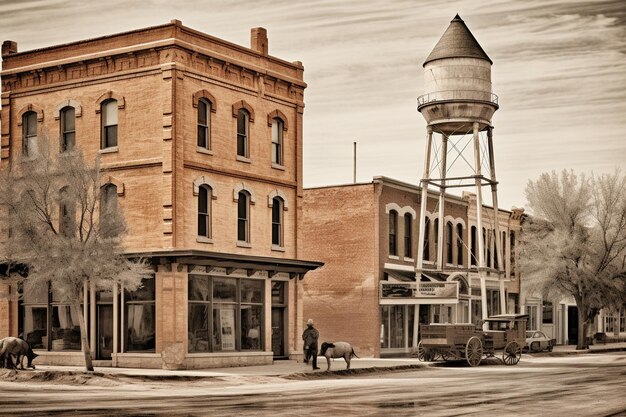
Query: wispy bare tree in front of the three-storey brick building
{"type": "Point", "coordinates": [65, 230]}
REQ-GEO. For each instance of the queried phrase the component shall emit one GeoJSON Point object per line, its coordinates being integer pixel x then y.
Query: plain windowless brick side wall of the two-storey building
{"type": "Point", "coordinates": [342, 297]}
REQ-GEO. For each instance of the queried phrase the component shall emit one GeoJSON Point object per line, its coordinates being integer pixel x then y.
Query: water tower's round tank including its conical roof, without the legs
{"type": "Point", "coordinates": [457, 83]}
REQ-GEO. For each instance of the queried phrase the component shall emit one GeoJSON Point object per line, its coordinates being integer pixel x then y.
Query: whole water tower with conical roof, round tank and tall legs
{"type": "Point", "coordinates": [458, 106]}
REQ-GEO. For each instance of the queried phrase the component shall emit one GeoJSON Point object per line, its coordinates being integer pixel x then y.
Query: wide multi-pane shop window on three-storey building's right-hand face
{"type": "Point", "coordinates": [233, 310]}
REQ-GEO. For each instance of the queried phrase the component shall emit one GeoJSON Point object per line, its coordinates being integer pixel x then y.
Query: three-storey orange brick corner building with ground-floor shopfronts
{"type": "Point", "coordinates": [200, 142]}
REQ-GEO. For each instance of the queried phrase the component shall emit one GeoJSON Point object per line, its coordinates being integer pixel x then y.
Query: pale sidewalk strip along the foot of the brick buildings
{"type": "Point", "coordinates": [293, 368]}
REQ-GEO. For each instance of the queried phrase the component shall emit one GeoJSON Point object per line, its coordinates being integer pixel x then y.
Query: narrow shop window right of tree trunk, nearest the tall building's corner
{"type": "Point", "coordinates": [140, 318]}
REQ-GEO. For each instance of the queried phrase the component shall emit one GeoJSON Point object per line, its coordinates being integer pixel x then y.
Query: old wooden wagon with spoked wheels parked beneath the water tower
{"type": "Point", "coordinates": [507, 332]}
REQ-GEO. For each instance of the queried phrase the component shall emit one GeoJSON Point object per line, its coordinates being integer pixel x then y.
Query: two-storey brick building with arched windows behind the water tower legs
{"type": "Point", "coordinates": [367, 292]}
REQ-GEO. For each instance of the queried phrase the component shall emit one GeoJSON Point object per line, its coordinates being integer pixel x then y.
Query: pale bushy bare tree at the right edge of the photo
{"type": "Point", "coordinates": [574, 242]}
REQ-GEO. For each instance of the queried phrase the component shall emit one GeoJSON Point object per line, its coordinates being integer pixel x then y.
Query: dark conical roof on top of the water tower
{"type": "Point", "coordinates": [457, 42]}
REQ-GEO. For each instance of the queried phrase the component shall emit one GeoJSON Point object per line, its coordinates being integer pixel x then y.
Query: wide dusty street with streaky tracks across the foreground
{"type": "Point", "coordinates": [572, 385]}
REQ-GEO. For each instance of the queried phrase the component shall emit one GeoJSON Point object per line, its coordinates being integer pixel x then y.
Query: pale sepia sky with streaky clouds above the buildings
{"type": "Point", "coordinates": [559, 71]}
